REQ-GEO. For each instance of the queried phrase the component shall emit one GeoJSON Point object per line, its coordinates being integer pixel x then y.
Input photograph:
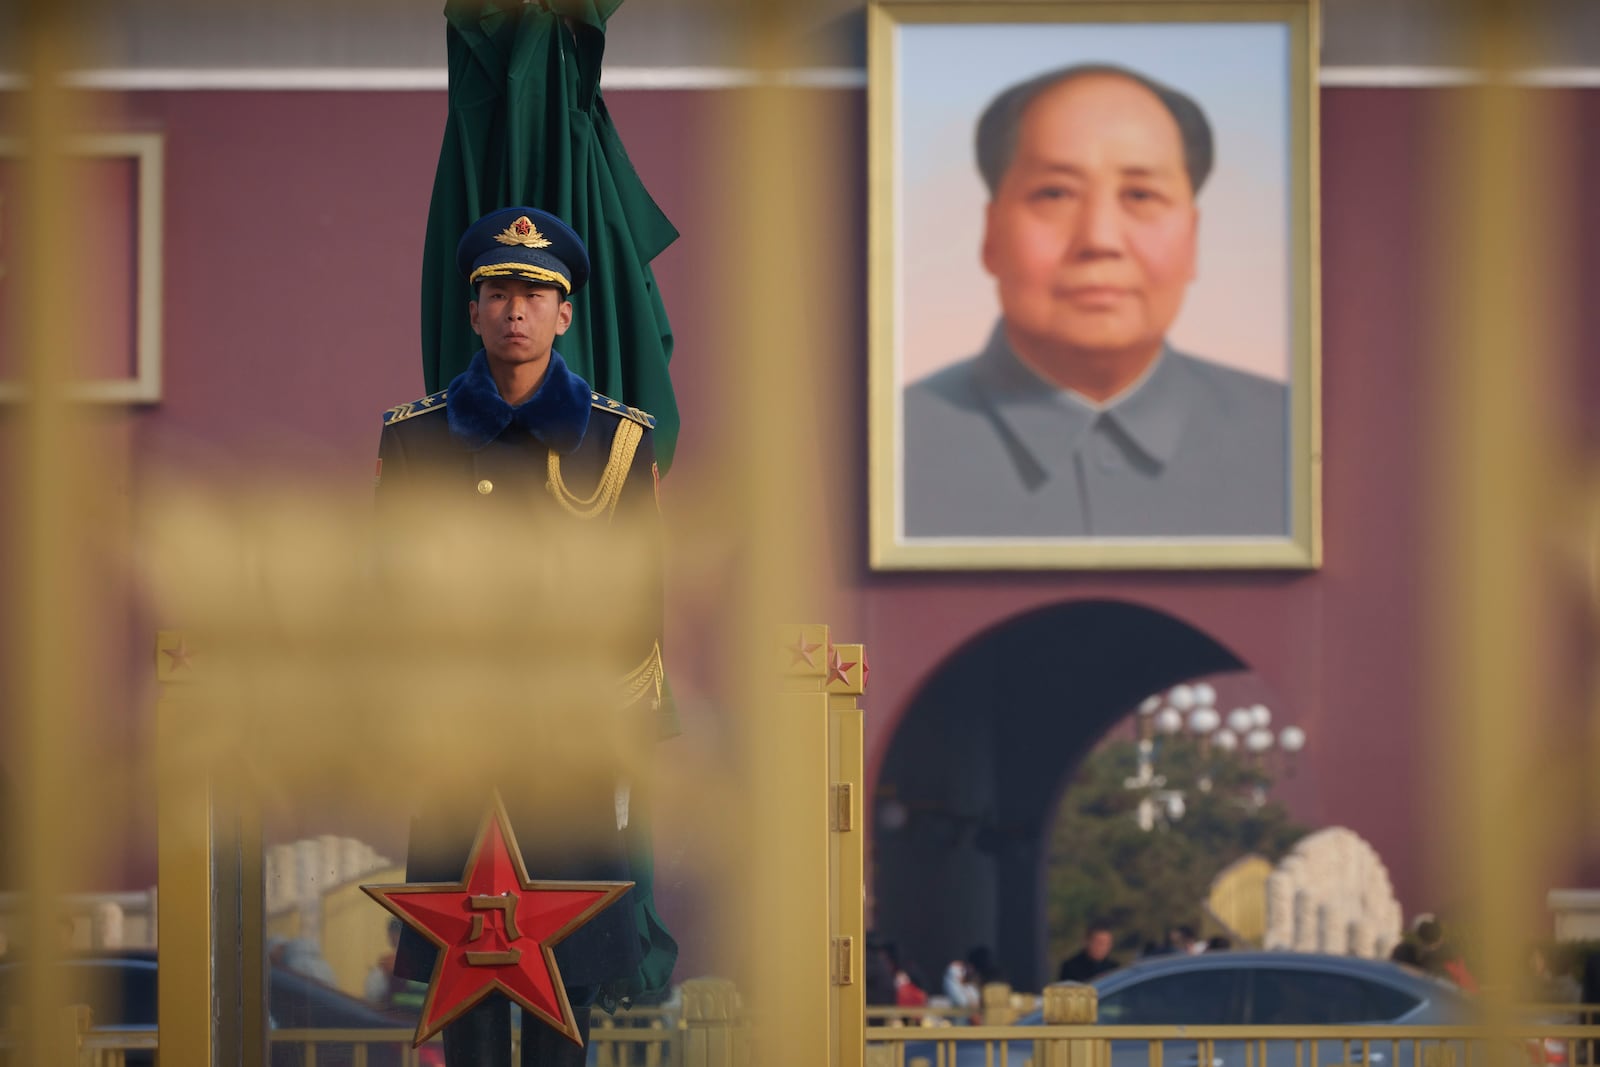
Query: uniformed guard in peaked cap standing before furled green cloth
{"type": "Point", "coordinates": [519, 433]}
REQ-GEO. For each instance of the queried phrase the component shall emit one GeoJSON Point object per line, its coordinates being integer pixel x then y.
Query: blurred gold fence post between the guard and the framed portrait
{"type": "Point", "coordinates": [780, 343]}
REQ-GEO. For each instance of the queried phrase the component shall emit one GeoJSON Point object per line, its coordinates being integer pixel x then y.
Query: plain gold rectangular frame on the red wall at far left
{"type": "Point", "coordinates": [145, 383]}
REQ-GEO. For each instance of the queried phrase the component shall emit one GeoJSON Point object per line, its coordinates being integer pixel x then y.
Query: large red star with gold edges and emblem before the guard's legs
{"type": "Point", "coordinates": [497, 930]}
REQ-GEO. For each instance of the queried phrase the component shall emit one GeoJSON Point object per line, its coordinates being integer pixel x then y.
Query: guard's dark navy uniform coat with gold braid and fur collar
{"type": "Point", "coordinates": [465, 447]}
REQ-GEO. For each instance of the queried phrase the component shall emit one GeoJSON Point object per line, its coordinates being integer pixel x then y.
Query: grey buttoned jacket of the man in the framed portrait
{"type": "Point", "coordinates": [1196, 450]}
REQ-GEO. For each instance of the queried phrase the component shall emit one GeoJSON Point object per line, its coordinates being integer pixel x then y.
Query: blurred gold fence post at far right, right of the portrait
{"type": "Point", "coordinates": [1495, 468]}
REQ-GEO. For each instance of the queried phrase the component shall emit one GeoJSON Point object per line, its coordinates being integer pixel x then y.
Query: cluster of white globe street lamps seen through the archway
{"type": "Point", "coordinates": [1191, 709]}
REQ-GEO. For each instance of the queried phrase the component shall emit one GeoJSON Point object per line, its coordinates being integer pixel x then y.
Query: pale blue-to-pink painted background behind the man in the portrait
{"type": "Point", "coordinates": [1238, 311]}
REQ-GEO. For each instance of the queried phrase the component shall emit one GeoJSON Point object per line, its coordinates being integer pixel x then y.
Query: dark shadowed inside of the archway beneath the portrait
{"type": "Point", "coordinates": [975, 769]}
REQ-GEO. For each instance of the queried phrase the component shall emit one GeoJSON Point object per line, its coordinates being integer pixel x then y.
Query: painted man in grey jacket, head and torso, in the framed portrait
{"type": "Point", "coordinates": [1078, 418]}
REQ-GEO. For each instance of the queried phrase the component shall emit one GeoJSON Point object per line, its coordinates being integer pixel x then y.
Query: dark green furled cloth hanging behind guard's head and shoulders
{"type": "Point", "coordinates": [529, 127]}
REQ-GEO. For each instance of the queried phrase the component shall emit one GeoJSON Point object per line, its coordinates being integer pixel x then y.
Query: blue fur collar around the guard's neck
{"type": "Point", "coordinates": [558, 414]}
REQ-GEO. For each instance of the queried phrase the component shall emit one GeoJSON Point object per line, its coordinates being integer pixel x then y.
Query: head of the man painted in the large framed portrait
{"type": "Point", "coordinates": [1092, 233]}
